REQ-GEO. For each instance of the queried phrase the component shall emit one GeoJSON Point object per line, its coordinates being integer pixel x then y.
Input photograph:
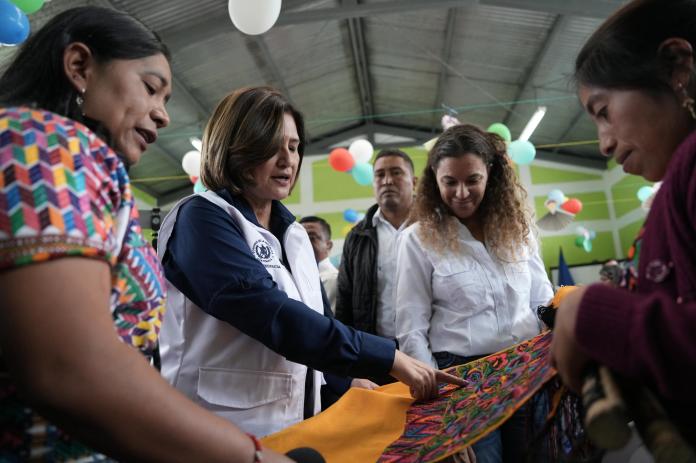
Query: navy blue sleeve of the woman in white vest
{"type": "Point", "coordinates": [209, 261]}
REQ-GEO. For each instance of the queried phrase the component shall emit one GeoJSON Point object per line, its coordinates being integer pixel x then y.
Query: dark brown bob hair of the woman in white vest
{"type": "Point", "coordinates": [245, 130]}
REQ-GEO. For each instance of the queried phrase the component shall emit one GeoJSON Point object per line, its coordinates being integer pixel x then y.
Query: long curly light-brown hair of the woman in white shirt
{"type": "Point", "coordinates": [506, 219]}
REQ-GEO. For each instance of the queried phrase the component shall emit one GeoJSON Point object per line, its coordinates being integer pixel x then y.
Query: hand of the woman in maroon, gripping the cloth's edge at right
{"type": "Point", "coordinates": [566, 355]}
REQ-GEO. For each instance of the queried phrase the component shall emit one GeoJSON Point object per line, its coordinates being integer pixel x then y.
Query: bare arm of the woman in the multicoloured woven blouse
{"type": "Point", "coordinates": [94, 400]}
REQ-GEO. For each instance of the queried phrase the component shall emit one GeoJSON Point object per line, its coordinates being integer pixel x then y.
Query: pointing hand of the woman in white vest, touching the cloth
{"type": "Point", "coordinates": [421, 378]}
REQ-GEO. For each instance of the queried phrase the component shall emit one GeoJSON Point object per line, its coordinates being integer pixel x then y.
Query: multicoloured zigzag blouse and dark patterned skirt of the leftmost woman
{"type": "Point", "coordinates": [64, 192]}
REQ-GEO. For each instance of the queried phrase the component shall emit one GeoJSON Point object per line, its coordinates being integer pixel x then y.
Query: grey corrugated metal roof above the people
{"type": "Point", "coordinates": [502, 62]}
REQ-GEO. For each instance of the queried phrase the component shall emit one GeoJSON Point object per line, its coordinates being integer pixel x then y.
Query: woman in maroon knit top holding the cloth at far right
{"type": "Point", "coordinates": [637, 82]}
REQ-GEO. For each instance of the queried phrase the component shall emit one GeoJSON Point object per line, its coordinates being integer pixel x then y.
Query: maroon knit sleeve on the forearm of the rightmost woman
{"type": "Point", "coordinates": [642, 336]}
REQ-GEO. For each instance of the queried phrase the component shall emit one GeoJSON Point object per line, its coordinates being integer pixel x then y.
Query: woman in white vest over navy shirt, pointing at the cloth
{"type": "Point", "coordinates": [245, 317]}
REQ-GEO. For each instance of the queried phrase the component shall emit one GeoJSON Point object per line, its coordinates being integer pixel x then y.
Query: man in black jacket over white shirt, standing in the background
{"type": "Point", "coordinates": [368, 265]}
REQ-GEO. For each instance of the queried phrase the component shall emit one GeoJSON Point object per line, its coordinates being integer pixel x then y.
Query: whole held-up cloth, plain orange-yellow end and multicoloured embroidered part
{"type": "Point", "coordinates": [385, 425]}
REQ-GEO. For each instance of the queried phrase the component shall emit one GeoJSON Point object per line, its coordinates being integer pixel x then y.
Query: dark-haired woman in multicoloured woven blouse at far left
{"type": "Point", "coordinates": [82, 291]}
